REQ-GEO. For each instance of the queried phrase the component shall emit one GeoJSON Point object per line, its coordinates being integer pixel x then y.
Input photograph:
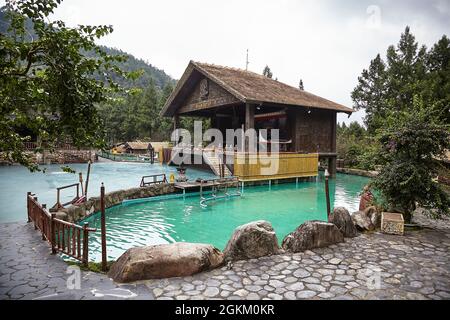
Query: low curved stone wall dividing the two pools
{"type": "Point", "coordinates": [75, 213]}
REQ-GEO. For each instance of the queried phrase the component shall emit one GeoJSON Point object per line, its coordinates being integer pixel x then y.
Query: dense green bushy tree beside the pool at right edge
{"type": "Point", "coordinates": [411, 142]}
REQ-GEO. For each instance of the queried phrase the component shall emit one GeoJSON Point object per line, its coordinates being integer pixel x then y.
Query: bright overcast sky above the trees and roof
{"type": "Point", "coordinates": [326, 43]}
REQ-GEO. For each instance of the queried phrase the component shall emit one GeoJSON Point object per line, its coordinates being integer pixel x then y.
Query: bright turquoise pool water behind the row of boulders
{"type": "Point", "coordinates": [286, 206]}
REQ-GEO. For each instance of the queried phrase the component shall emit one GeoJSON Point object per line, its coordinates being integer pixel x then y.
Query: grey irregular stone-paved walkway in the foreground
{"type": "Point", "coordinates": [370, 266]}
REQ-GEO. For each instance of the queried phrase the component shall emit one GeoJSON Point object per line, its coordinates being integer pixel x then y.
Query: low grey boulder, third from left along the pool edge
{"type": "Point", "coordinates": [312, 234]}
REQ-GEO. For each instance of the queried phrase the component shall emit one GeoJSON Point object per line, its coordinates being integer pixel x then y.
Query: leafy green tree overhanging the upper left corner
{"type": "Point", "coordinates": [47, 85]}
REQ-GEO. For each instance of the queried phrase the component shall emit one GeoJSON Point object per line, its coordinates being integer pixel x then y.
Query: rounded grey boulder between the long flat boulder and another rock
{"type": "Point", "coordinates": [252, 240]}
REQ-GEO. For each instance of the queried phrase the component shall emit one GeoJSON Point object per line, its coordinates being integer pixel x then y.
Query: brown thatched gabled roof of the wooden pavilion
{"type": "Point", "coordinates": [249, 87]}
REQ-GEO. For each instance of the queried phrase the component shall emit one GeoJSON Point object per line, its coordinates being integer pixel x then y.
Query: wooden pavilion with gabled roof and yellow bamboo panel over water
{"type": "Point", "coordinates": [234, 98]}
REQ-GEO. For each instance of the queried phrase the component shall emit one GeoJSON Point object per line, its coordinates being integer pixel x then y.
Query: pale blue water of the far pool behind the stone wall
{"type": "Point", "coordinates": [15, 181]}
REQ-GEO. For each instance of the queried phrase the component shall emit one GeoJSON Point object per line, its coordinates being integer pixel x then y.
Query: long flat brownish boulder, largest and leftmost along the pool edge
{"type": "Point", "coordinates": [163, 261]}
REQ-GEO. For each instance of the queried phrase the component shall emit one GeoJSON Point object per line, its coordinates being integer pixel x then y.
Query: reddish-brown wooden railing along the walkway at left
{"type": "Point", "coordinates": [65, 237]}
